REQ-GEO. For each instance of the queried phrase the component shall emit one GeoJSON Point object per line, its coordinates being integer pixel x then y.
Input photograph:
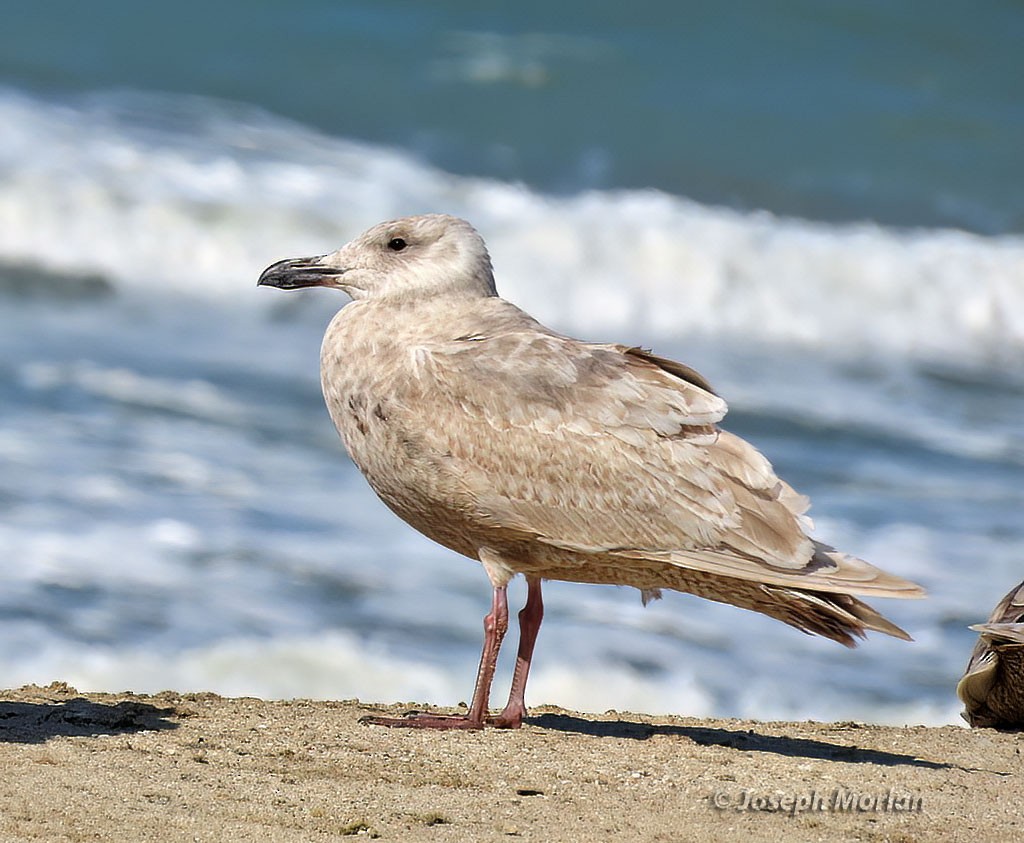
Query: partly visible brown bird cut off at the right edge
{"type": "Point", "coordinates": [993, 688]}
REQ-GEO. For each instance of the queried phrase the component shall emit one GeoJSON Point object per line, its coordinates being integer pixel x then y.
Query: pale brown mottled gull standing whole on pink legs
{"type": "Point", "coordinates": [542, 455]}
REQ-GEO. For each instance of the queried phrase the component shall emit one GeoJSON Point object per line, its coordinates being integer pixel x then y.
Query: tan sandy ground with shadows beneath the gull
{"type": "Point", "coordinates": [203, 768]}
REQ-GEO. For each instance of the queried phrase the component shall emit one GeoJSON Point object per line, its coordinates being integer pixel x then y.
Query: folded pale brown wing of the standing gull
{"type": "Point", "coordinates": [611, 450]}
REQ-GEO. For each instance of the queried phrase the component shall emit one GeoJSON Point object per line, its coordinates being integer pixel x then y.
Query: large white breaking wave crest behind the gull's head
{"type": "Point", "coordinates": [169, 195]}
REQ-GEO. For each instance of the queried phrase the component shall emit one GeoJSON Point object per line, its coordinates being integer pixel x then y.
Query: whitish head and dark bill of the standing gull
{"type": "Point", "coordinates": [405, 260]}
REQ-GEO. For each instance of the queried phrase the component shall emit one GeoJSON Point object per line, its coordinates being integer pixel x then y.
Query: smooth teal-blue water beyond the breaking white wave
{"type": "Point", "coordinates": [840, 111]}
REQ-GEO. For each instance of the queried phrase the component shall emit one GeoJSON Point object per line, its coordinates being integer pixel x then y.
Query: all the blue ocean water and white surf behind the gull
{"type": "Point", "coordinates": [820, 210]}
